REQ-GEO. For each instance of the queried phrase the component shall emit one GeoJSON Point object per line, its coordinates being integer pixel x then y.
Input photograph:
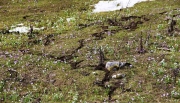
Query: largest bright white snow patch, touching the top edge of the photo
{"type": "Point", "coordinates": [111, 5]}
